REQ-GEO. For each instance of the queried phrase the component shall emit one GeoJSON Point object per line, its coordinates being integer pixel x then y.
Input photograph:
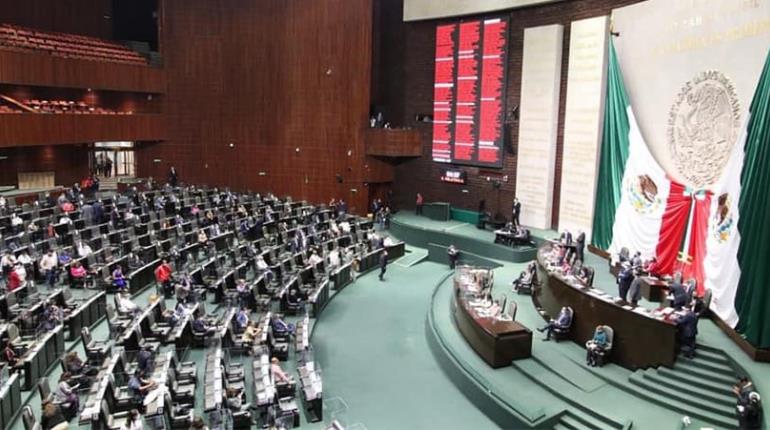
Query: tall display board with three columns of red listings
{"type": "Point", "coordinates": [469, 91]}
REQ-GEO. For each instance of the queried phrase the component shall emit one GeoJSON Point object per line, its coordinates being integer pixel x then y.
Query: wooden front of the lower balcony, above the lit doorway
{"type": "Point", "coordinates": [37, 129]}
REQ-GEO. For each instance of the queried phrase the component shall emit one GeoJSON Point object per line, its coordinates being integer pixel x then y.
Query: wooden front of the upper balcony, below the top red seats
{"type": "Point", "coordinates": [26, 68]}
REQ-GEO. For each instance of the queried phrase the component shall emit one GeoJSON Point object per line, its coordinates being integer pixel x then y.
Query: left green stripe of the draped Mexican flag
{"type": "Point", "coordinates": [614, 154]}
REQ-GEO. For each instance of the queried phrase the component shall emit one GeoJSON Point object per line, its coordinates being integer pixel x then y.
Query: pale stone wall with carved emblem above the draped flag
{"type": "Point", "coordinates": [691, 68]}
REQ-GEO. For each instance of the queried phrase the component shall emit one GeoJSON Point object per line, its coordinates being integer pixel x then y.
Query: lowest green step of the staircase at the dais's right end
{"type": "Point", "coordinates": [722, 415]}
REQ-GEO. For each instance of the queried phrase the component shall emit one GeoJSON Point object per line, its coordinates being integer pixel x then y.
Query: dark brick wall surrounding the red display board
{"type": "Point", "coordinates": [404, 87]}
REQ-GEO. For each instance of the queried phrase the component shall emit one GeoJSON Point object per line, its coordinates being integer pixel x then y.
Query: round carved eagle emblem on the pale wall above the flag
{"type": "Point", "coordinates": [703, 126]}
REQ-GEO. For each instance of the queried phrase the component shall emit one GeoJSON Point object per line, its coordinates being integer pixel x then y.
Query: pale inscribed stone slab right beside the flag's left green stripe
{"type": "Point", "coordinates": [586, 76]}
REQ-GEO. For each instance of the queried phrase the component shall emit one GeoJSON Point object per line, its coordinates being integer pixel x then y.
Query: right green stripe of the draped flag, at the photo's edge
{"type": "Point", "coordinates": [752, 301]}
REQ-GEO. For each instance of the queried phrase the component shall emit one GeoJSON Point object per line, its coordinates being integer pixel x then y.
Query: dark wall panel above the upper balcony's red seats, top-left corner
{"type": "Point", "coordinates": [87, 17]}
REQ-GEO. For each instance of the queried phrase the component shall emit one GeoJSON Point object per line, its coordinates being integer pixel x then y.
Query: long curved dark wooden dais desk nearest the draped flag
{"type": "Point", "coordinates": [640, 340]}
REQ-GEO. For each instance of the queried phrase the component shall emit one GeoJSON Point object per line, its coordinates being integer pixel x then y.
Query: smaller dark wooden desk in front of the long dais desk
{"type": "Point", "coordinates": [497, 342]}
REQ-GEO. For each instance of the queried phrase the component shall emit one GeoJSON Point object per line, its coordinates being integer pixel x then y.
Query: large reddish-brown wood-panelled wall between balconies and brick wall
{"type": "Point", "coordinates": [270, 77]}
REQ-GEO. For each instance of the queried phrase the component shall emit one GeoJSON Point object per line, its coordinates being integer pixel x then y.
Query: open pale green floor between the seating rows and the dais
{"type": "Point", "coordinates": [371, 343]}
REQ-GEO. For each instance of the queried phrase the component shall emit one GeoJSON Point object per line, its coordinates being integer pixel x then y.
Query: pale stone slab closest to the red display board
{"type": "Point", "coordinates": [538, 123]}
